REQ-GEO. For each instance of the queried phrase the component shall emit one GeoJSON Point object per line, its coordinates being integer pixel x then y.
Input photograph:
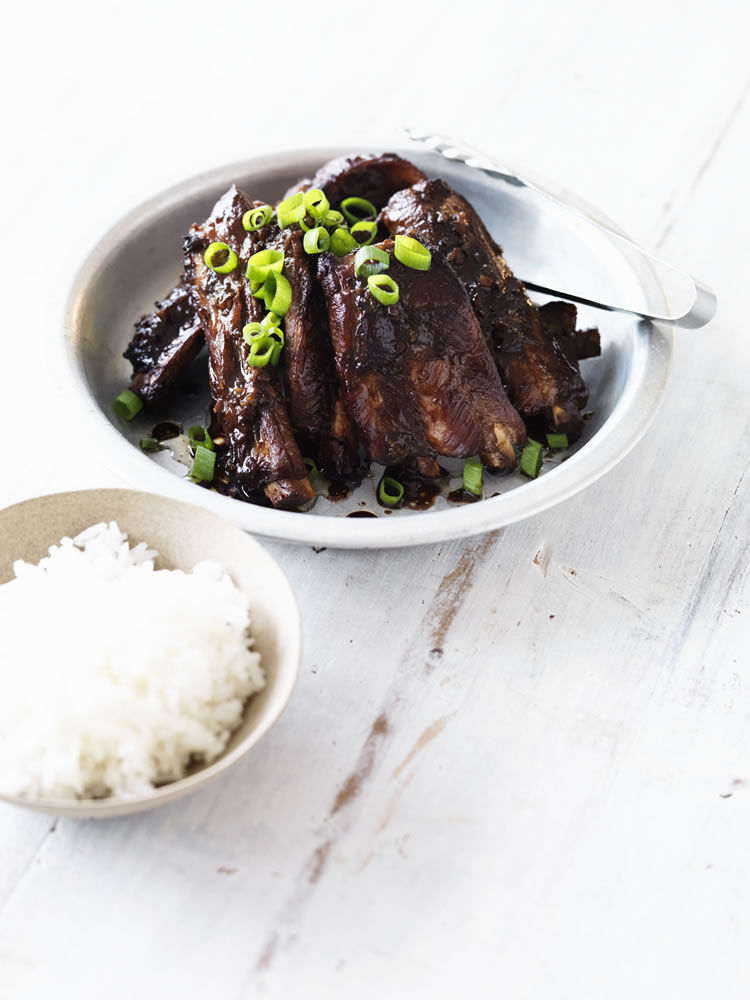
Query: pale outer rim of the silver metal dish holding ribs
{"type": "Point", "coordinates": [630, 419]}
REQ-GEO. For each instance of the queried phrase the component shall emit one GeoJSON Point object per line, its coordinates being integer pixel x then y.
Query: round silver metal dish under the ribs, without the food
{"type": "Point", "coordinates": [140, 259]}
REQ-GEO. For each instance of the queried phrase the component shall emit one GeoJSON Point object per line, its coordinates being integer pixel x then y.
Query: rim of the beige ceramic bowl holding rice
{"type": "Point", "coordinates": [284, 685]}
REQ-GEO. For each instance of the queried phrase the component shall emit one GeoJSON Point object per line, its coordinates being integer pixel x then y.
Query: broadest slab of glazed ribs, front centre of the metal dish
{"type": "Point", "coordinates": [417, 376]}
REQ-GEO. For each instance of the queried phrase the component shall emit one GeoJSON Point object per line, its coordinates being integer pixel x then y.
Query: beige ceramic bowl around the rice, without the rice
{"type": "Point", "coordinates": [183, 535]}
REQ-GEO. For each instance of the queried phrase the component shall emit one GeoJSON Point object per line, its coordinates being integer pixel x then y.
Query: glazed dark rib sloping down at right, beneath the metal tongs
{"type": "Point", "coordinates": [541, 381]}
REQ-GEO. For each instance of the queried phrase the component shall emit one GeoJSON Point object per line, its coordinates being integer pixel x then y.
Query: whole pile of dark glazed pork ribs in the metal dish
{"type": "Point", "coordinates": [460, 366]}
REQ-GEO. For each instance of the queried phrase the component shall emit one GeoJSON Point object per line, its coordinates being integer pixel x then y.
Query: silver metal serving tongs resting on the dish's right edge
{"type": "Point", "coordinates": [691, 303]}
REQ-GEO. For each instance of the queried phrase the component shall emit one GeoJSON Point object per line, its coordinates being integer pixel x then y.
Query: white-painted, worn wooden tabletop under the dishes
{"type": "Point", "coordinates": [515, 766]}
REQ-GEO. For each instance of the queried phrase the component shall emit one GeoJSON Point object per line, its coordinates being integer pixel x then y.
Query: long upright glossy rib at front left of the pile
{"type": "Point", "coordinates": [262, 454]}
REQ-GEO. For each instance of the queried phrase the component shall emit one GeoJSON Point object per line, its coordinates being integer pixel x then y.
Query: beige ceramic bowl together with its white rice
{"type": "Point", "coordinates": [145, 646]}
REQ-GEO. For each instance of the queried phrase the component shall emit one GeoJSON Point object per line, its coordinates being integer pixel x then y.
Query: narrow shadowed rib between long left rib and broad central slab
{"type": "Point", "coordinates": [311, 383]}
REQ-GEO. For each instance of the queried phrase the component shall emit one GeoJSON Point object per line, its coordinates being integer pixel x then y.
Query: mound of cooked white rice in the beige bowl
{"type": "Point", "coordinates": [116, 676]}
